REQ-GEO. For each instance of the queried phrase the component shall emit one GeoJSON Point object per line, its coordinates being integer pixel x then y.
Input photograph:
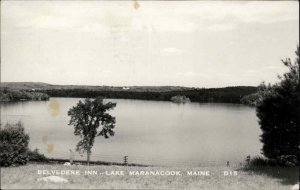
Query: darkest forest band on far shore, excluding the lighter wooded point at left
{"type": "Point", "coordinates": [221, 95]}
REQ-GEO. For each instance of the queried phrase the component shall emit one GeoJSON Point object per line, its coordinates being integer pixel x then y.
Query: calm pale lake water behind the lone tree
{"type": "Point", "coordinates": [148, 132]}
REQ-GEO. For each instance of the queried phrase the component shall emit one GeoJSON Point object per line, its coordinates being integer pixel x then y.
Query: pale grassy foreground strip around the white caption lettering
{"type": "Point", "coordinates": [25, 177]}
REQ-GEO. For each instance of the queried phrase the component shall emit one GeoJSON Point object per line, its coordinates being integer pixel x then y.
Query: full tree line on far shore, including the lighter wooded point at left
{"type": "Point", "coordinates": [219, 95]}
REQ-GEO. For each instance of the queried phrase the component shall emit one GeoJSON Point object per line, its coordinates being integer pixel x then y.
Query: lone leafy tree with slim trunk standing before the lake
{"type": "Point", "coordinates": [86, 117]}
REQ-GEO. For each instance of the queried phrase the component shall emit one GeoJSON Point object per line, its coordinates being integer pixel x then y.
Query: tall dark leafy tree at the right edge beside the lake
{"type": "Point", "coordinates": [278, 114]}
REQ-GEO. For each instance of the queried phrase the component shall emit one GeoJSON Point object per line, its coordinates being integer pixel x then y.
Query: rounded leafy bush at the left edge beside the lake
{"type": "Point", "coordinates": [13, 145]}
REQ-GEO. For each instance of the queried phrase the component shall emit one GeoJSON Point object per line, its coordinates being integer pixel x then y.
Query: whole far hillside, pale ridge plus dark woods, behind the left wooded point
{"type": "Point", "coordinates": [160, 93]}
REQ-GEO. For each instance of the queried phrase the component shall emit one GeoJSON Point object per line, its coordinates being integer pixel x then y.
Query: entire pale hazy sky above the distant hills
{"type": "Point", "coordinates": [147, 43]}
